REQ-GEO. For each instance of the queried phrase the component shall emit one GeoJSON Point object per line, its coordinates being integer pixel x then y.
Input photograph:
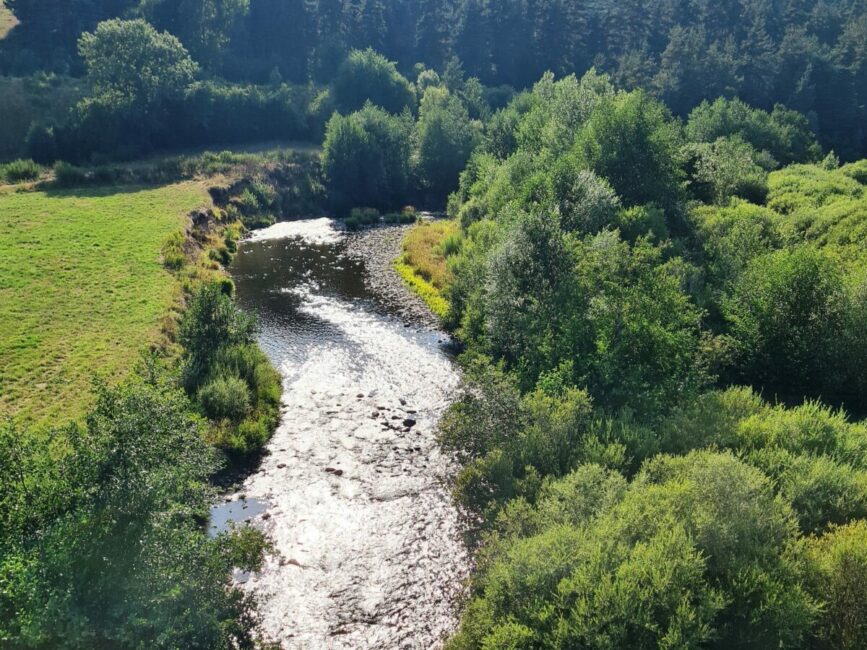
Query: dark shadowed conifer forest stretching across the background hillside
{"type": "Point", "coordinates": [808, 56]}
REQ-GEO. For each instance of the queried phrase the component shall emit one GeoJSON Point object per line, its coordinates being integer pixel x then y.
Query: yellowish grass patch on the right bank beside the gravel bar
{"type": "Point", "coordinates": [423, 264]}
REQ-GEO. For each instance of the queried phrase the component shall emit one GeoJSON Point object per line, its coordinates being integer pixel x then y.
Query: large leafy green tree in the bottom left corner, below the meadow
{"type": "Point", "coordinates": [103, 540]}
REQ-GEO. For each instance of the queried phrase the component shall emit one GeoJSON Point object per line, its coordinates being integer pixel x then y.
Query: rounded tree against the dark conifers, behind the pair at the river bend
{"type": "Point", "coordinates": [369, 76]}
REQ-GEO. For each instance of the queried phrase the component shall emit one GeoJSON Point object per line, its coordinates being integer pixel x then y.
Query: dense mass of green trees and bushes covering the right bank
{"type": "Point", "coordinates": [662, 329]}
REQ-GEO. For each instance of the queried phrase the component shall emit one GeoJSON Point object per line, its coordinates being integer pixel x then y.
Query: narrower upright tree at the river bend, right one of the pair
{"type": "Point", "coordinates": [445, 137]}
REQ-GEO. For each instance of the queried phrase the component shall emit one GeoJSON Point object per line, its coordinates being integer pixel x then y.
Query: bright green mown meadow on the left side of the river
{"type": "Point", "coordinates": [82, 289]}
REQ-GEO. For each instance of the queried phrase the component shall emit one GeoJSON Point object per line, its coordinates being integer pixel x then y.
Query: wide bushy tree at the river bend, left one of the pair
{"type": "Point", "coordinates": [366, 159]}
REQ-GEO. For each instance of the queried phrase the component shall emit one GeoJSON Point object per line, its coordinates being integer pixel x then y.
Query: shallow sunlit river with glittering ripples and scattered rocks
{"type": "Point", "coordinates": [352, 490]}
